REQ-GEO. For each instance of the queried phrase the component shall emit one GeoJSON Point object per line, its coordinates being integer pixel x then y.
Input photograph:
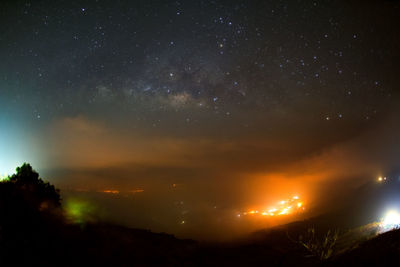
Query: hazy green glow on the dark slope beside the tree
{"type": "Point", "coordinates": [79, 211]}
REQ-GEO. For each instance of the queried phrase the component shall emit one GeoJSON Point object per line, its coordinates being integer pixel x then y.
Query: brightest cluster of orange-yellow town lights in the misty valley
{"type": "Point", "coordinates": [284, 207]}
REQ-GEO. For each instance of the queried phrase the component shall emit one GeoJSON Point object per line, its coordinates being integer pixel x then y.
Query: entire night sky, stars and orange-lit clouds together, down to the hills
{"type": "Point", "coordinates": [211, 103]}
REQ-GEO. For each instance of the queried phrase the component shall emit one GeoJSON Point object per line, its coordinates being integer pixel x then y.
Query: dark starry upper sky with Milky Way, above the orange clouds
{"type": "Point", "coordinates": [214, 57]}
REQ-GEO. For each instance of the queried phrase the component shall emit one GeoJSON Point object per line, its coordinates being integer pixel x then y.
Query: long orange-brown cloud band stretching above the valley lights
{"type": "Point", "coordinates": [243, 168]}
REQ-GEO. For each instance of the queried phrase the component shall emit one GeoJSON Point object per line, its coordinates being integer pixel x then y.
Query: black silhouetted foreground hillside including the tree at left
{"type": "Point", "coordinates": [35, 232]}
